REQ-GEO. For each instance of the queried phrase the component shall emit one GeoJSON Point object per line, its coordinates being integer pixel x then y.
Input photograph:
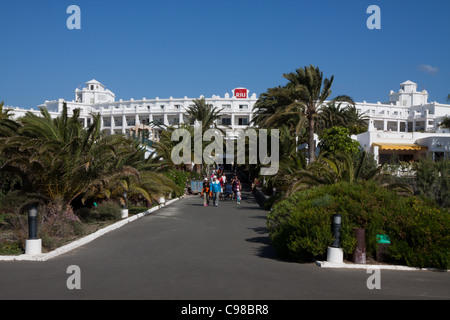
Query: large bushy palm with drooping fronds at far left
{"type": "Point", "coordinates": [59, 159]}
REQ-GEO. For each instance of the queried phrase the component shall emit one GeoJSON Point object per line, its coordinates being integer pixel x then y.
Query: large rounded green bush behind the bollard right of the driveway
{"type": "Point", "coordinates": [300, 226]}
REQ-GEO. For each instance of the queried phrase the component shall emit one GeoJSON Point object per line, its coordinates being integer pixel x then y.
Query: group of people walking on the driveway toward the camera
{"type": "Point", "coordinates": [216, 188]}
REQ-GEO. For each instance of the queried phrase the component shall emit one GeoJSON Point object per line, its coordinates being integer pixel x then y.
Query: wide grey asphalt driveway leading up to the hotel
{"type": "Point", "coordinates": [190, 252]}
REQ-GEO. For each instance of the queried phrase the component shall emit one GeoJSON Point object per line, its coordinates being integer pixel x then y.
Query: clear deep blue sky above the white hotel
{"type": "Point", "coordinates": [142, 48]}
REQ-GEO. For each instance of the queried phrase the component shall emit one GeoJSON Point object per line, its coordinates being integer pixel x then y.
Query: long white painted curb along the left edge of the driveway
{"type": "Point", "coordinates": [81, 242]}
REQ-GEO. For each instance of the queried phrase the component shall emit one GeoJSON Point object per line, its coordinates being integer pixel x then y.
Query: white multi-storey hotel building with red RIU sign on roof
{"type": "Point", "coordinates": [407, 125]}
